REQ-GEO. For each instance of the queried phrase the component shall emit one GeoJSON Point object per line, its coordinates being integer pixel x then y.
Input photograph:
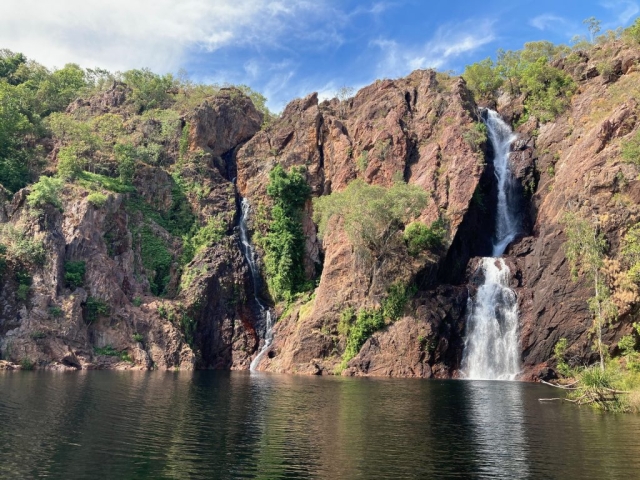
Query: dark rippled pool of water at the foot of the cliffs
{"type": "Point", "coordinates": [155, 425]}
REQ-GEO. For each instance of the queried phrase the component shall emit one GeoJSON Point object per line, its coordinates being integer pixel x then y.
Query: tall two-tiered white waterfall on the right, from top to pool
{"type": "Point", "coordinates": [491, 349]}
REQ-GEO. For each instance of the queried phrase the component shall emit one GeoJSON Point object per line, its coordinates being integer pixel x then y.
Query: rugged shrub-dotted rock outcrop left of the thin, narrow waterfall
{"type": "Point", "coordinates": [112, 320]}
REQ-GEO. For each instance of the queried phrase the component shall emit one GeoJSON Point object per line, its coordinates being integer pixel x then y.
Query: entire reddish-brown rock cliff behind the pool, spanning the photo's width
{"type": "Point", "coordinates": [134, 309]}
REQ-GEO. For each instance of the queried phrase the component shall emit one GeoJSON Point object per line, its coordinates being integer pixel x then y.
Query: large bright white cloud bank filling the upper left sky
{"type": "Point", "coordinates": [121, 34]}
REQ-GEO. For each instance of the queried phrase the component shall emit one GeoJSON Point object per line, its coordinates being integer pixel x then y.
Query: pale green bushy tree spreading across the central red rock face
{"type": "Point", "coordinates": [372, 214]}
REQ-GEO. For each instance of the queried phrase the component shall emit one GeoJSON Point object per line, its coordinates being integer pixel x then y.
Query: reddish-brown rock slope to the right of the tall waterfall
{"type": "Point", "coordinates": [578, 168]}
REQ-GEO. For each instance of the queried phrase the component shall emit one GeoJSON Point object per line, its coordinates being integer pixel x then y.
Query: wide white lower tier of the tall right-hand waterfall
{"type": "Point", "coordinates": [491, 347]}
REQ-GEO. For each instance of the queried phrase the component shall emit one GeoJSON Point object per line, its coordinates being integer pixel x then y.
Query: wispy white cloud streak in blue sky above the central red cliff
{"type": "Point", "coordinates": [449, 42]}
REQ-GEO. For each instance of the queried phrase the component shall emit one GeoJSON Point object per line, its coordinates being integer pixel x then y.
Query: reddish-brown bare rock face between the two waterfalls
{"type": "Point", "coordinates": [413, 129]}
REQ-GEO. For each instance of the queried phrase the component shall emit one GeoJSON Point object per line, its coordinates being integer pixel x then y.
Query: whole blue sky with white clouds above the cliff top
{"type": "Point", "coordinates": [288, 48]}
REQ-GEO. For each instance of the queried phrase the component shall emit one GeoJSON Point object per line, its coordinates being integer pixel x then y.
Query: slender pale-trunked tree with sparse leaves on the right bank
{"type": "Point", "coordinates": [584, 249]}
